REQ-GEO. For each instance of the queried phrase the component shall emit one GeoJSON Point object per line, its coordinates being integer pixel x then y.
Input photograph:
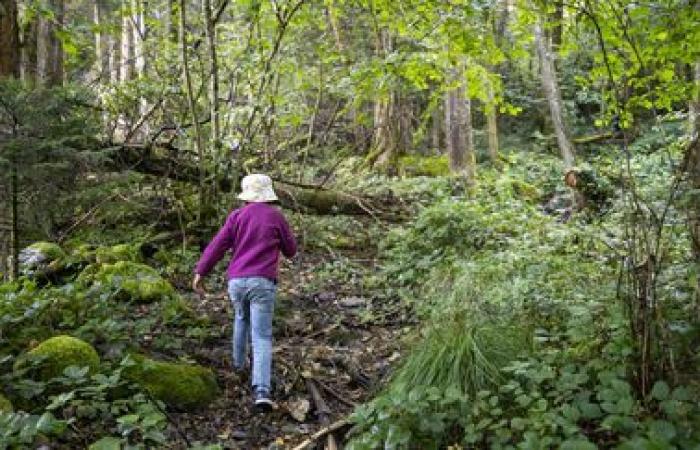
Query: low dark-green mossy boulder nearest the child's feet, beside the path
{"type": "Point", "coordinates": [183, 386]}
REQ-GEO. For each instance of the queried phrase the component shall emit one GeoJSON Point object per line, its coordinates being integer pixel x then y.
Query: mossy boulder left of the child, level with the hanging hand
{"type": "Point", "coordinates": [129, 281]}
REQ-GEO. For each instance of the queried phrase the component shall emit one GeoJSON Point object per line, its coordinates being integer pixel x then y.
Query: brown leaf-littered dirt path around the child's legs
{"type": "Point", "coordinates": [330, 336]}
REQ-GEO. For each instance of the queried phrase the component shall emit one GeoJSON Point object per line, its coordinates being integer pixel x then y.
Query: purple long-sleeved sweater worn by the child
{"type": "Point", "coordinates": [255, 234]}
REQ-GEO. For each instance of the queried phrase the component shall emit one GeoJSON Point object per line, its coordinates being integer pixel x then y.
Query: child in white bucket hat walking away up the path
{"type": "Point", "coordinates": [255, 234]}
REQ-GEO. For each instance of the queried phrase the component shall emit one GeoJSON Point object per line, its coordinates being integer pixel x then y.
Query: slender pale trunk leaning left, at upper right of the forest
{"type": "Point", "coordinates": [551, 90]}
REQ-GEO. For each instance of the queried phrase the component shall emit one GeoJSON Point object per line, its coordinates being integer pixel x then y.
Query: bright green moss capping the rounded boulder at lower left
{"type": "Point", "coordinates": [59, 352]}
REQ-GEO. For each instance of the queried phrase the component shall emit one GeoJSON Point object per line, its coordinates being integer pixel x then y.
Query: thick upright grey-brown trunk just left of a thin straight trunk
{"type": "Point", "coordinates": [458, 127]}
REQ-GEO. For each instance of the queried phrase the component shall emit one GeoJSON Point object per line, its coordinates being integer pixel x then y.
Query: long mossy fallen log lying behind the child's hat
{"type": "Point", "coordinates": [169, 162]}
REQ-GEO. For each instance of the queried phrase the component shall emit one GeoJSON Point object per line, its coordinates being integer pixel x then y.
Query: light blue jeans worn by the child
{"type": "Point", "coordinates": [253, 300]}
